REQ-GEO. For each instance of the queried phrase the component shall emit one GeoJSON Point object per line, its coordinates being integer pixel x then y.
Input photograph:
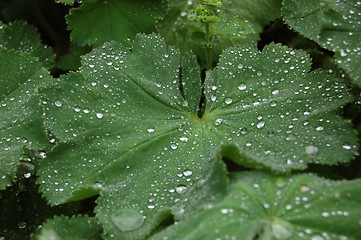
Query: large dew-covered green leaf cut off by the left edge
{"type": "Point", "coordinates": [20, 112]}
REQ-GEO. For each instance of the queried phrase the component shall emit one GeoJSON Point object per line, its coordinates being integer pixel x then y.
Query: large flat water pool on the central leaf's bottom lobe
{"type": "Point", "coordinates": [127, 219]}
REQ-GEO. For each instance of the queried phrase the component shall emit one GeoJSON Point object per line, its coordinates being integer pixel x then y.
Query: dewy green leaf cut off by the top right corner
{"type": "Point", "coordinates": [335, 25]}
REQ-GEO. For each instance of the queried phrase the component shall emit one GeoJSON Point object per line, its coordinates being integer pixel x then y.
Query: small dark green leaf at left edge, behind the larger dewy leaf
{"type": "Point", "coordinates": [23, 37]}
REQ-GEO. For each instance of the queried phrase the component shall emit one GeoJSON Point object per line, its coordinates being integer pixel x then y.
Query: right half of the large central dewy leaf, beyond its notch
{"type": "Point", "coordinates": [272, 109]}
